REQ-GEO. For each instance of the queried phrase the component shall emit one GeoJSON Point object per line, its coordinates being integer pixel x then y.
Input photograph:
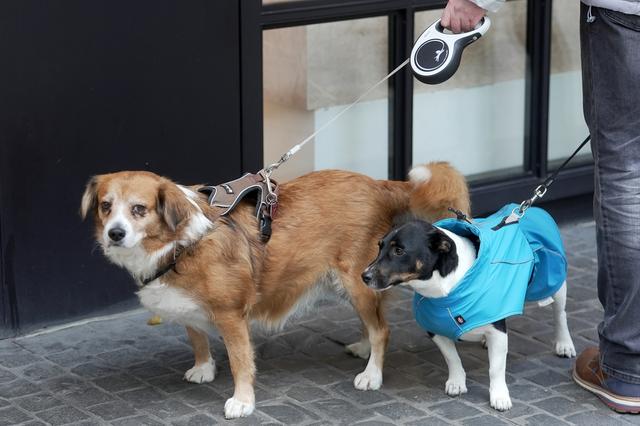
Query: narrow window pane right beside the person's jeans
{"type": "Point", "coordinates": [566, 121]}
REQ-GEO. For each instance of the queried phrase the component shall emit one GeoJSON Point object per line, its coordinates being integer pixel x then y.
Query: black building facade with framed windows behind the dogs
{"type": "Point", "coordinates": [202, 91]}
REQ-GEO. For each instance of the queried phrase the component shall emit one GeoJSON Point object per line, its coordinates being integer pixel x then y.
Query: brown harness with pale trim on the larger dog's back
{"type": "Point", "coordinates": [226, 196]}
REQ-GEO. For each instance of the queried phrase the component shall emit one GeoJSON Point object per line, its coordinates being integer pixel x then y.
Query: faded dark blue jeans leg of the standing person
{"type": "Point", "coordinates": [611, 88]}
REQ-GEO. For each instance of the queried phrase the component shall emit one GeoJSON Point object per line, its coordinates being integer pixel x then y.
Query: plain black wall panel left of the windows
{"type": "Point", "coordinates": [94, 86]}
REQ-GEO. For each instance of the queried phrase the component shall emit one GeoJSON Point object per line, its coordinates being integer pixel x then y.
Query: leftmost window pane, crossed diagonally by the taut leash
{"type": "Point", "coordinates": [310, 74]}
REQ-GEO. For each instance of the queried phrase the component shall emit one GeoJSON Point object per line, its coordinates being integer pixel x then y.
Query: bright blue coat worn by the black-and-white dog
{"type": "Point", "coordinates": [521, 261]}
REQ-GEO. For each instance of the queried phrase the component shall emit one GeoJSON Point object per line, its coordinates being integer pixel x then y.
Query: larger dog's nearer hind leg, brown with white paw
{"type": "Point", "coordinates": [368, 304]}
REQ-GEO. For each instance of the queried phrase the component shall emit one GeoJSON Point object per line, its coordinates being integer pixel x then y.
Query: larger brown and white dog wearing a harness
{"type": "Point", "coordinates": [324, 234]}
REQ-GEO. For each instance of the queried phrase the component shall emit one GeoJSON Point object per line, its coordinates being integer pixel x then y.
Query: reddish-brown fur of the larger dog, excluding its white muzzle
{"type": "Point", "coordinates": [327, 222]}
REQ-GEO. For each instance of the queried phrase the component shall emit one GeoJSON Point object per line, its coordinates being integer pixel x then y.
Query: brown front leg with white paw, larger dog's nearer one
{"type": "Point", "coordinates": [234, 329]}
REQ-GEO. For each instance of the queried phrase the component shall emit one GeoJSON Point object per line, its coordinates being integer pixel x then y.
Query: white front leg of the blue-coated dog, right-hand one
{"type": "Point", "coordinates": [497, 342]}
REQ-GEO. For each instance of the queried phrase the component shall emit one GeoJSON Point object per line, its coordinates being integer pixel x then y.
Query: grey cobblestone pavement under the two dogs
{"type": "Point", "coordinates": [124, 372]}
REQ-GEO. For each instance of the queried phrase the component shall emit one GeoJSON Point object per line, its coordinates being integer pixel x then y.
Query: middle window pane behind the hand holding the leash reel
{"type": "Point", "coordinates": [475, 120]}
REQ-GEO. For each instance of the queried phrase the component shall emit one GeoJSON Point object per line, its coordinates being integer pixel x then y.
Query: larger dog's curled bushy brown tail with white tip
{"type": "Point", "coordinates": [437, 186]}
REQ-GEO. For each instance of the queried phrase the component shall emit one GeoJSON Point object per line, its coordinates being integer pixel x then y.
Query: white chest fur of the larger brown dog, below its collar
{"type": "Point", "coordinates": [174, 304]}
